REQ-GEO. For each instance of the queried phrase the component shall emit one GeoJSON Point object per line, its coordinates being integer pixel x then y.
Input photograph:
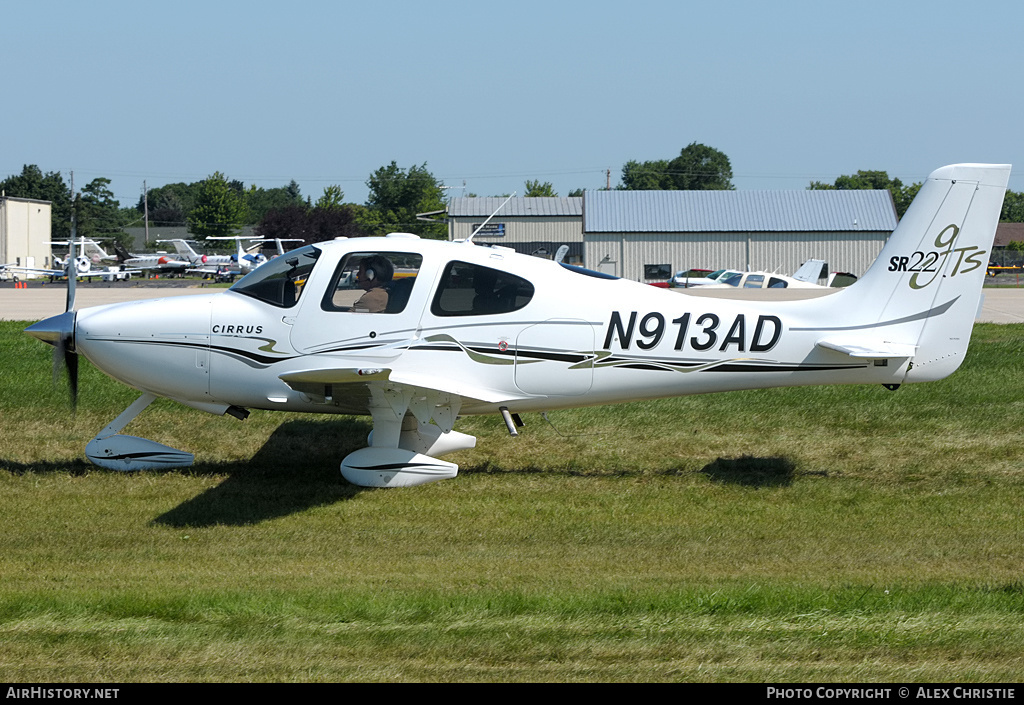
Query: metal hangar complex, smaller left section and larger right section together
{"type": "Point", "coordinates": [649, 235]}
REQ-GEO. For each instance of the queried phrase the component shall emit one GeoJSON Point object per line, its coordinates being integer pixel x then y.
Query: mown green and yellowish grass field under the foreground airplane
{"type": "Point", "coordinates": [845, 534]}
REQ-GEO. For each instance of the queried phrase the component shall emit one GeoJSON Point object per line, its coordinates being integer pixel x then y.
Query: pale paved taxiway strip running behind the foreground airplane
{"type": "Point", "coordinates": [39, 301]}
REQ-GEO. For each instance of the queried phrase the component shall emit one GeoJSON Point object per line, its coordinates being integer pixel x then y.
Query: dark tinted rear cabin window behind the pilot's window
{"type": "Point", "coordinates": [474, 291]}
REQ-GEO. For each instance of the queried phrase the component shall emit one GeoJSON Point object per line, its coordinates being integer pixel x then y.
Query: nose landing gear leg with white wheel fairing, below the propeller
{"type": "Point", "coordinates": [129, 453]}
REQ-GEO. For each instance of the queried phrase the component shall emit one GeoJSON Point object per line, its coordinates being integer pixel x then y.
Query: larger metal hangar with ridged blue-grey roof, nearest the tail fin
{"type": "Point", "coordinates": [650, 235]}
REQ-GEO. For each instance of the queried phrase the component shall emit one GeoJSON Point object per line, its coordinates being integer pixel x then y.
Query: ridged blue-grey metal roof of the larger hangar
{"type": "Point", "coordinates": [738, 212]}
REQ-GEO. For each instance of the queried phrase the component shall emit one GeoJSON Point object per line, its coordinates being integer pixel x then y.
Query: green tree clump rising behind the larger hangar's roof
{"type": "Point", "coordinates": [698, 168]}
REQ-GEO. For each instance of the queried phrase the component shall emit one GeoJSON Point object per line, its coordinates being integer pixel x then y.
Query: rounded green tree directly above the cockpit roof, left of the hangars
{"type": "Point", "coordinates": [397, 195]}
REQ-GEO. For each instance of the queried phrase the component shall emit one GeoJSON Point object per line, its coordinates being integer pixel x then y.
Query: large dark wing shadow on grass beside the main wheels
{"type": "Point", "coordinates": [297, 469]}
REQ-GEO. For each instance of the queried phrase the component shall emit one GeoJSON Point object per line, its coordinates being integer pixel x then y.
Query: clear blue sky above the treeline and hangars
{"type": "Point", "coordinates": [497, 94]}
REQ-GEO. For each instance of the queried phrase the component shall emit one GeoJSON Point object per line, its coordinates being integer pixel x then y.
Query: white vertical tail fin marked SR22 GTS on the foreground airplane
{"type": "Point", "coordinates": [925, 288]}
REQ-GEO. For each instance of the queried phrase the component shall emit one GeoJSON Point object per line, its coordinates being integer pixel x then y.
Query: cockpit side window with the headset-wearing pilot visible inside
{"type": "Point", "coordinates": [373, 282]}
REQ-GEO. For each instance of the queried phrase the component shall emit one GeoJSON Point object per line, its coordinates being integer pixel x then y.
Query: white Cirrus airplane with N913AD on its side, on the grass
{"type": "Point", "coordinates": [470, 329]}
